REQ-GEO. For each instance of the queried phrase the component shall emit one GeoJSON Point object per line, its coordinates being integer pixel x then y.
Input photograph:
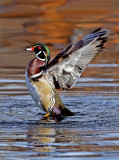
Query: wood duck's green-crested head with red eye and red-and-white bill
{"type": "Point", "coordinates": [42, 52]}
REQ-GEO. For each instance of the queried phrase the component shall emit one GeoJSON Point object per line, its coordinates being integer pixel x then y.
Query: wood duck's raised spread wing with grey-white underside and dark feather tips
{"type": "Point", "coordinates": [68, 65]}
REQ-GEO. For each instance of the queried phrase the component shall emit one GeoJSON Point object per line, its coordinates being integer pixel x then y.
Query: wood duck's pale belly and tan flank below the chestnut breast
{"type": "Point", "coordinates": [41, 92]}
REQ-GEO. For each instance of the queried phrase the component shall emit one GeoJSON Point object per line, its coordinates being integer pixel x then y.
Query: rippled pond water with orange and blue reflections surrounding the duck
{"type": "Point", "coordinates": [93, 132]}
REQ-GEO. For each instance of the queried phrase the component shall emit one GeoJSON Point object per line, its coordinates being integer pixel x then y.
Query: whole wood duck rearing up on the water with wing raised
{"type": "Point", "coordinates": [44, 77]}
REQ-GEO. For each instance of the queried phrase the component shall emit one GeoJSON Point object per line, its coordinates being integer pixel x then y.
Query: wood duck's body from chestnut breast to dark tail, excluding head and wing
{"type": "Point", "coordinates": [43, 90]}
